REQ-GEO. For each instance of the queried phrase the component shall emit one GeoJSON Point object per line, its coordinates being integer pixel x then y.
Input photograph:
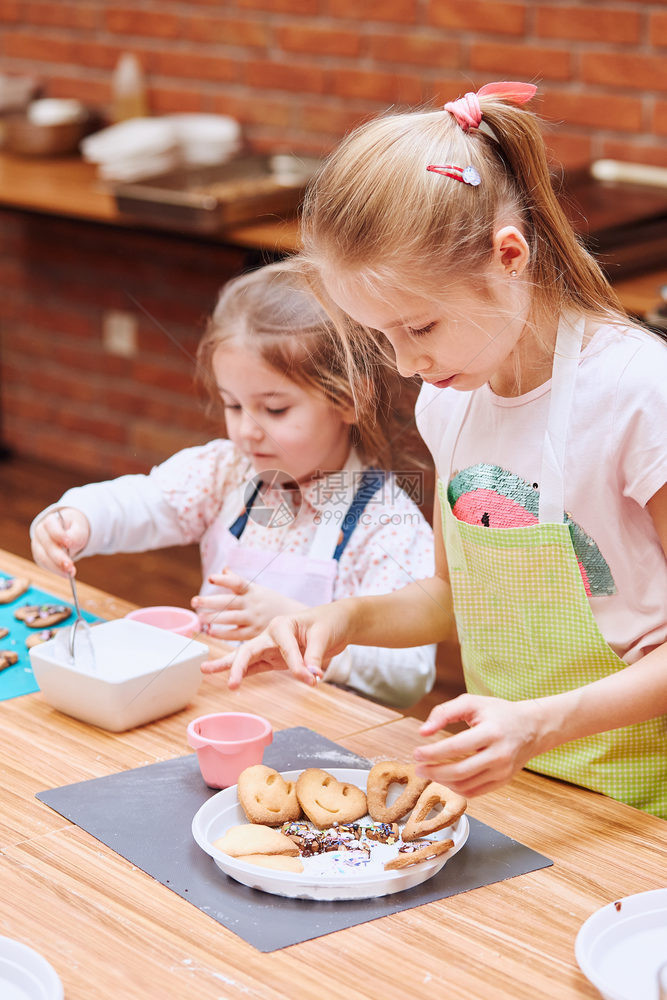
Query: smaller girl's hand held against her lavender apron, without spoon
{"type": "Point", "coordinates": [243, 610]}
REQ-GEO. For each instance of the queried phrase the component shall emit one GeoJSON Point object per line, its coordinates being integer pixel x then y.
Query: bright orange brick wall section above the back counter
{"type": "Point", "coordinates": [298, 73]}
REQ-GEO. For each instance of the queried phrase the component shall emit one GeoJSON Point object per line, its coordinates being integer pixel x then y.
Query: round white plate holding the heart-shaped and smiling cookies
{"type": "Point", "coordinates": [324, 876]}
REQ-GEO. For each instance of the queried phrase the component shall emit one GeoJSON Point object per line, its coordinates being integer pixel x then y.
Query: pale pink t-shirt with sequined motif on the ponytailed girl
{"type": "Point", "coordinates": [616, 460]}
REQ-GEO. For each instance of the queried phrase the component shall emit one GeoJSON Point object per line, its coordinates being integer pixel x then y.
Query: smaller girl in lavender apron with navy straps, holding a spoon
{"type": "Point", "coordinates": [291, 509]}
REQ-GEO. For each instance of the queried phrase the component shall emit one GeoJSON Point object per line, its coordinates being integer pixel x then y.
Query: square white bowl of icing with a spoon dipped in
{"type": "Point", "coordinates": [140, 673]}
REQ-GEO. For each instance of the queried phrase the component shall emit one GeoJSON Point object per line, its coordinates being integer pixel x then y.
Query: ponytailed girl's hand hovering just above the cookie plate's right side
{"type": "Point", "coordinates": [501, 738]}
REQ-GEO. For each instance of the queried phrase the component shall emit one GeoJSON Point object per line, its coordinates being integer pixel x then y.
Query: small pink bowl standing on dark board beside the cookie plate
{"type": "Point", "coordinates": [227, 743]}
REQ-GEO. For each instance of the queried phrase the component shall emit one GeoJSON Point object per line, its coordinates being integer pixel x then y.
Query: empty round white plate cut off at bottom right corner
{"type": "Point", "coordinates": [621, 946]}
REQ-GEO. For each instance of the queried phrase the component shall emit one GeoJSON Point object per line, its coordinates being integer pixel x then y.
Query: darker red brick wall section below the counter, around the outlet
{"type": "Point", "coordinates": [67, 401]}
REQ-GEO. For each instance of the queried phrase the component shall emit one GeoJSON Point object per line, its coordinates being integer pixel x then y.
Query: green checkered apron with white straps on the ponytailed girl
{"type": "Point", "coordinates": [524, 620]}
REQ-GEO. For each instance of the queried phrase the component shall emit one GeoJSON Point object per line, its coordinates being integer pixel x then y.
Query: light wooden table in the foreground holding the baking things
{"type": "Point", "coordinates": [112, 931]}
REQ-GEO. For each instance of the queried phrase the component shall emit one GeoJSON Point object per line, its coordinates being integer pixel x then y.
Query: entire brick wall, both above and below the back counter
{"type": "Point", "coordinates": [297, 74]}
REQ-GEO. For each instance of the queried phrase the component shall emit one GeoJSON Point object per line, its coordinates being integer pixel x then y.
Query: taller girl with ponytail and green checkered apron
{"type": "Point", "coordinates": [544, 408]}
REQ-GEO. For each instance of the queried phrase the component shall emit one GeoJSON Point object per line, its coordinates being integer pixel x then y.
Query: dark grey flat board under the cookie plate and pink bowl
{"type": "Point", "coordinates": [145, 815]}
